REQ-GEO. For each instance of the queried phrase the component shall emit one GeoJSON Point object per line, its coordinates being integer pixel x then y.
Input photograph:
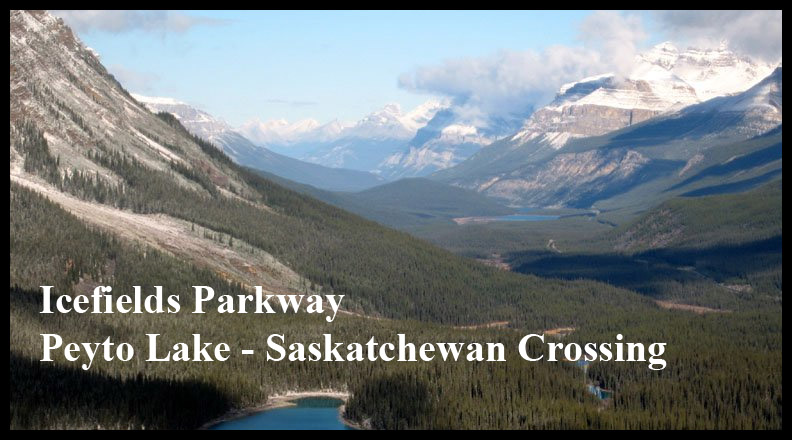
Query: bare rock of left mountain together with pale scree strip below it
{"type": "Point", "coordinates": [71, 121]}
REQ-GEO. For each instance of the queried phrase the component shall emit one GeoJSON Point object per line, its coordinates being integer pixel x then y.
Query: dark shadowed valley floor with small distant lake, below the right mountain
{"type": "Point", "coordinates": [720, 251]}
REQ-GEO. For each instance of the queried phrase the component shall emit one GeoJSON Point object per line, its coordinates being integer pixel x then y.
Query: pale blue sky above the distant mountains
{"type": "Point", "coordinates": [325, 65]}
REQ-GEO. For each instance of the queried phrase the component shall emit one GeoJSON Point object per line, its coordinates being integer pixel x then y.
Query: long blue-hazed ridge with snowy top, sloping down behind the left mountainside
{"type": "Point", "coordinates": [404, 203]}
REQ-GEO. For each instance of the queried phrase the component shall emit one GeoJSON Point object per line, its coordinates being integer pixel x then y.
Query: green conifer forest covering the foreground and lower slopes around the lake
{"type": "Point", "coordinates": [724, 370]}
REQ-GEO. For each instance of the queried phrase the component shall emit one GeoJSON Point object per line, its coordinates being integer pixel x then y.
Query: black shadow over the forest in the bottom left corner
{"type": "Point", "coordinates": [46, 395]}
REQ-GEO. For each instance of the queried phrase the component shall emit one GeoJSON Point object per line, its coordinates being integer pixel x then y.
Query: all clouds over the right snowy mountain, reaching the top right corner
{"type": "Point", "coordinates": [511, 82]}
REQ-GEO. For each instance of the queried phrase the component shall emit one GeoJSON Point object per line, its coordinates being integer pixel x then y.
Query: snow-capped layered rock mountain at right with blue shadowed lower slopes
{"type": "Point", "coordinates": [532, 167]}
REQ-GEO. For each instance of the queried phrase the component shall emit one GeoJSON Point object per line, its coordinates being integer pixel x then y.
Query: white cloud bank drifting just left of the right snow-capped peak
{"type": "Point", "coordinates": [510, 82]}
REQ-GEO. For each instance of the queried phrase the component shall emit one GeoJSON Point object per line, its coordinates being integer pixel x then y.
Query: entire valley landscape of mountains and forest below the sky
{"type": "Point", "coordinates": [660, 221]}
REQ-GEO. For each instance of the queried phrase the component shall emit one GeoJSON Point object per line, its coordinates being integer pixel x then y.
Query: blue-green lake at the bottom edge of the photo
{"type": "Point", "coordinates": [308, 413]}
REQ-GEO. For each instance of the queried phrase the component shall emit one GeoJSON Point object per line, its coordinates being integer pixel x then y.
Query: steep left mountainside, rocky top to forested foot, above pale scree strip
{"type": "Point", "coordinates": [74, 130]}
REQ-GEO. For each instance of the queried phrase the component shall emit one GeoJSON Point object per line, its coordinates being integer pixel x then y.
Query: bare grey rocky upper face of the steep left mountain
{"type": "Point", "coordinates": [61, 87]}
